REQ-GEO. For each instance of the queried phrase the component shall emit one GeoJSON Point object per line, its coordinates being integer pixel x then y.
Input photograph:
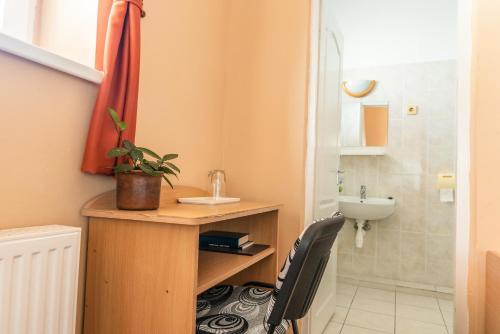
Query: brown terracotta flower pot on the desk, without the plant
{"type": "Point", "coordinates": [137, 191]}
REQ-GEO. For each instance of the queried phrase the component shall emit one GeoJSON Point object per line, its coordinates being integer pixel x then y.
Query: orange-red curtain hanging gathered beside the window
{"type": "Point", "coordinates": [120, 86]}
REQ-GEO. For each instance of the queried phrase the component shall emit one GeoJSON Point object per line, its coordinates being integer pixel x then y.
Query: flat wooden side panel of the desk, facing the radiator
{"type": "Point", "coordinates": [141, 277]}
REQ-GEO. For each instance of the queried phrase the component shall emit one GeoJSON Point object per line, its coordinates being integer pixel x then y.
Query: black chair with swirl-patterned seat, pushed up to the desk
{"type": "Point", "coordinates": [254, 308]}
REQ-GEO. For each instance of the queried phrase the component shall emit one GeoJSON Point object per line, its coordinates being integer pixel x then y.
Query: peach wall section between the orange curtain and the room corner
{"type": "Point", "coordinates": [182, 84]}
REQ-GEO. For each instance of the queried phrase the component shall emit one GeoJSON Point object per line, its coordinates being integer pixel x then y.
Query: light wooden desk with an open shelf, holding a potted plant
{"type": "Point", "coordinates": [144, 269]}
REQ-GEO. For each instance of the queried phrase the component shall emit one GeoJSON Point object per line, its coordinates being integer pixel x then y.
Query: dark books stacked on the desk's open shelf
{"type": "Point", "coordinates": [229, 242]}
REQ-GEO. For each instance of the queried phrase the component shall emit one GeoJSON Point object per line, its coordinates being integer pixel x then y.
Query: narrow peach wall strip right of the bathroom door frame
{"type": "Point", "coordinates": [485, 155]}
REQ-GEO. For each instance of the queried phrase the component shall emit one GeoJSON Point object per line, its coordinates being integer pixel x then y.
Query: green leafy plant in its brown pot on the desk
{"type": "Point", "coordinates": [139, 172]}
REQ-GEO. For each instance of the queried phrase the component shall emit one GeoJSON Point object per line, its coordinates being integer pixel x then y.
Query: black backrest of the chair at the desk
{"type": "Point", "coordinates": [302, 272]}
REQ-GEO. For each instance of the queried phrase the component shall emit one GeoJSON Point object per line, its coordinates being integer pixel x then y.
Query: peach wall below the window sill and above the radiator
{"type": "Point", "coordinates": [44, 117]}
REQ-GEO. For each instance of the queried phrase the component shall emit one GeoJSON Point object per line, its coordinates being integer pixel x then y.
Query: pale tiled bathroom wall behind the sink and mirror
{"type": "Point", "coordinates": [405, 245]}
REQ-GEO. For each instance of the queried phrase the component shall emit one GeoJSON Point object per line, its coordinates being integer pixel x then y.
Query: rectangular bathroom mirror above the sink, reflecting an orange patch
{"type": "Point", "coordinates": [364, 124]}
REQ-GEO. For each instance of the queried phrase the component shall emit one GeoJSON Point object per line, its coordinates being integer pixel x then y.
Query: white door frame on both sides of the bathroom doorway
{"type": "Point", "coordinates": [464, 70]}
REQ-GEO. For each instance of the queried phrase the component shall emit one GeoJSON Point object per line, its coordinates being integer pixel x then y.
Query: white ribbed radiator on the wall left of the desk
{"type": "Point", "coordinates": [39, 279]}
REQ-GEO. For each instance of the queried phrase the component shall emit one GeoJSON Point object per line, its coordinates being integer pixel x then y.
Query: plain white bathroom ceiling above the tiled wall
{"type": "Point", "coordinates": [385, 32]}
